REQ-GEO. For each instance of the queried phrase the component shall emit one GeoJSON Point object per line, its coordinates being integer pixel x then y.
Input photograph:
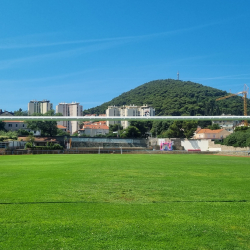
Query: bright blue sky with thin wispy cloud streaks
{"type": "Point", "coordinates": [92, 51]}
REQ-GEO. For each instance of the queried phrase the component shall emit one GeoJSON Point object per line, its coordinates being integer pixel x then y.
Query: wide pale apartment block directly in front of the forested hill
{"type": "Point", "coordinates": [128, 110]}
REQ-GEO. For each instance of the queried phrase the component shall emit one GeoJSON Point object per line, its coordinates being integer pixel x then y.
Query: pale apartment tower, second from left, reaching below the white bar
{"type": "Point", "coordinates": [69, 109]}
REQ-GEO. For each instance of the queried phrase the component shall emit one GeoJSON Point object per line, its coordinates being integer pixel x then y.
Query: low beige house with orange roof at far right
{"type": "Point", "coordinates": [211, 134]}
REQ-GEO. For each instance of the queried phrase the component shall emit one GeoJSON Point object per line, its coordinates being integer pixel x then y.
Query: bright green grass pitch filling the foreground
{"type": "Point", "coordinates": [124, 202]}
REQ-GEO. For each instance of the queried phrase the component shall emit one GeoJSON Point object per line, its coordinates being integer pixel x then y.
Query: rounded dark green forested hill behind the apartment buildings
{"type": "Point", "coordinates": [174, 97]}
